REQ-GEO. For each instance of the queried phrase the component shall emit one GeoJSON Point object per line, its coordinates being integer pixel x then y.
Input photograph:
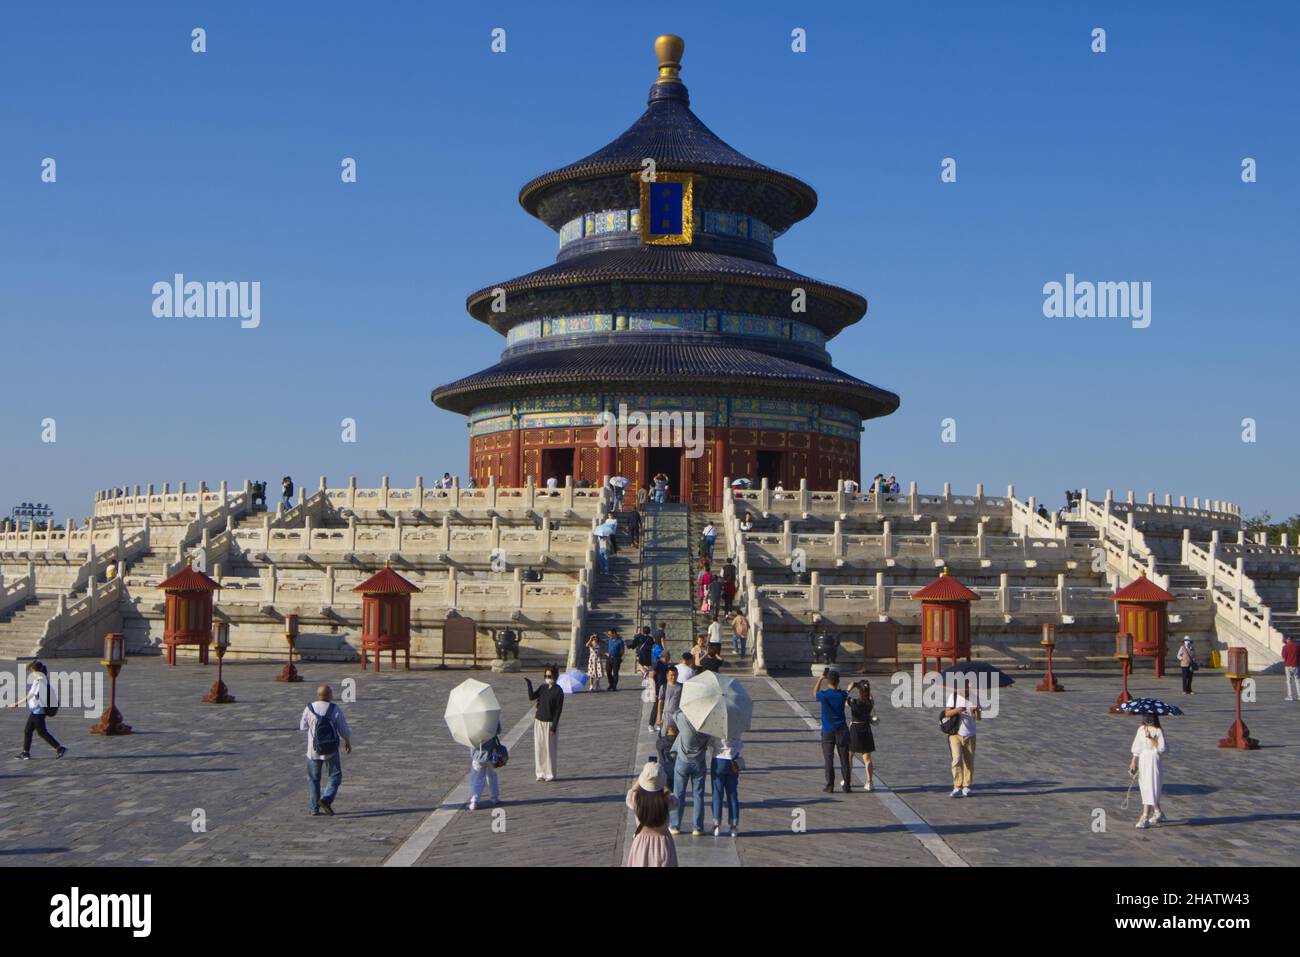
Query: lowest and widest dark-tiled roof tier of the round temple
{"type": "Point", "coordinates": [669, 367]}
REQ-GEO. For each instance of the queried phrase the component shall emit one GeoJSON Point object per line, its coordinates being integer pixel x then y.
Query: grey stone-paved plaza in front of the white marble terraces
{"type": "Point", "coordinates": [1045, 767]}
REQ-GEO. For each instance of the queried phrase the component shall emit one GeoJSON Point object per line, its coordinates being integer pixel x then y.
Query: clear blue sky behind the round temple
{"type": "Point", "coordinates": [226, 166]}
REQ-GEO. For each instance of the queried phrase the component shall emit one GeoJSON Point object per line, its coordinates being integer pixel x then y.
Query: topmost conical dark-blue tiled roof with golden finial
{"type": "Point", "coordinates": [678, 142]}
